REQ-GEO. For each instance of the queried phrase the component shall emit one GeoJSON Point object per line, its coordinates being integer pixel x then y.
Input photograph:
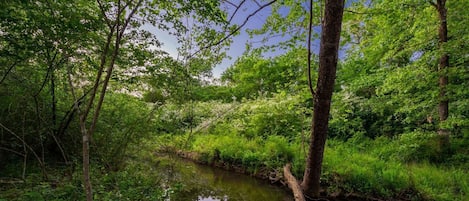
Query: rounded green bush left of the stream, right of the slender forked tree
{"type": "Point", "coordinates": [124, 121]}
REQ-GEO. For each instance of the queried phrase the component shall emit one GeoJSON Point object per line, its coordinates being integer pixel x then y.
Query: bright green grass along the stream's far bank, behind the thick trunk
{"type": "Point", "coordinates": [368, 167]}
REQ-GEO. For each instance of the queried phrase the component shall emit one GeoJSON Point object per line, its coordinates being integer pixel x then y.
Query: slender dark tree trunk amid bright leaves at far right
{"type": "Point", "coordinates": [443, 77]}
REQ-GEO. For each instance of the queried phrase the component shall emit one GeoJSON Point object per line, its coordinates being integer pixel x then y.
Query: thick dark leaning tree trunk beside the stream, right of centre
{"type": "Point", "coordinates": [328, 56]}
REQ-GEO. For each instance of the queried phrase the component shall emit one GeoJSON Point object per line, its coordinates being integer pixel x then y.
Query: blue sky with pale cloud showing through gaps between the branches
{"type": "Point", "coordinates": [238, 44]}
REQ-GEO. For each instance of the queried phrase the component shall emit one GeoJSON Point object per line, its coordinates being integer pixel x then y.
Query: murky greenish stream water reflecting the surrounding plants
{"type": "Point", "coordinates": [187, 181]}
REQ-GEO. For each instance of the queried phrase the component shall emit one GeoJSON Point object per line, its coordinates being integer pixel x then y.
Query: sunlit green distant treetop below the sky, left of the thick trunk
{"type": "Point", "coordinates": [253, 75]}
